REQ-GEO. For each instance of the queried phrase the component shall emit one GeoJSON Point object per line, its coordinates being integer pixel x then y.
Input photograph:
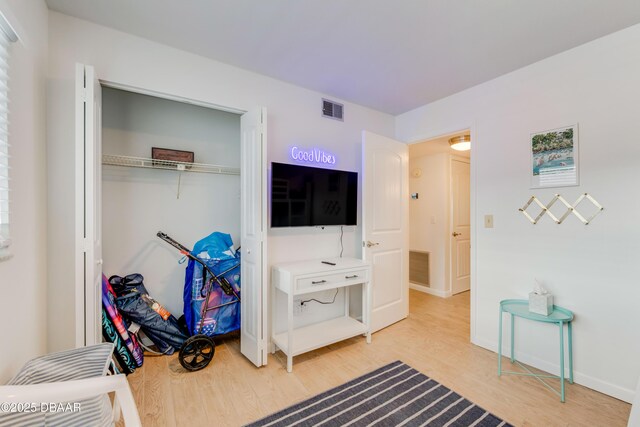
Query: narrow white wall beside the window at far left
{"type": "Point", "coordinates": [23, 291]}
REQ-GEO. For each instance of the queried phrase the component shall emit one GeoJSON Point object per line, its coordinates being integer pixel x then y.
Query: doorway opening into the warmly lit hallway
{"type": "Point", "coordinates": [439, 218]}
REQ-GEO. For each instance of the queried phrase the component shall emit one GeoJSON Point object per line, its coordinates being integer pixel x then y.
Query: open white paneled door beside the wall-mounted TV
{"type": "Point", "coordinates": [385, 222]}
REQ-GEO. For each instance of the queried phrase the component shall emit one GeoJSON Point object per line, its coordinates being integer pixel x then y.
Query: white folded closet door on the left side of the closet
{"type": "Point", "coordinates": [88, 207]}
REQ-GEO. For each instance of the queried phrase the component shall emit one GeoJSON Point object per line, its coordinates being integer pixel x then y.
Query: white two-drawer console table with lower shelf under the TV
{"type": "Point", "coordinates": [299, 278]}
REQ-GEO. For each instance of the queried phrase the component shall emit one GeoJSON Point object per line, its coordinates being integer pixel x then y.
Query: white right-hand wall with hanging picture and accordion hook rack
{"type": "Point", "coordinates": [592, 270]}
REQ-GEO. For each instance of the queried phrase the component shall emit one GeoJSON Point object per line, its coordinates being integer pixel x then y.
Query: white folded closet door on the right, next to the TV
{"type": "Point", "coordinates": [253, 224]}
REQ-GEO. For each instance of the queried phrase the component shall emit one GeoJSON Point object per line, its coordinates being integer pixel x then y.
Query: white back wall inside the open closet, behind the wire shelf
{"type": "Point", "coordinates": [137, 203]}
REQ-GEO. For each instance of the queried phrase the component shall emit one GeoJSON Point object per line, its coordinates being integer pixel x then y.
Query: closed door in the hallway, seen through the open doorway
{"type": "Point", "coordinates": [460, 227]}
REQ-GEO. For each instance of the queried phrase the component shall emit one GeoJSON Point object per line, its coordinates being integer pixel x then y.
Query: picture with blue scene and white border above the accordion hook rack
{"type": "Point", "coordinates": [554, 160]}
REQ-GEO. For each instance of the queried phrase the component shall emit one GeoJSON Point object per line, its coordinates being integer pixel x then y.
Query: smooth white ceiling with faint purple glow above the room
{"type": "Point", "coordinates": [392, 56]}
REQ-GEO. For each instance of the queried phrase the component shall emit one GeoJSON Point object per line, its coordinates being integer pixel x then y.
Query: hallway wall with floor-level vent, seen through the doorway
{"type": "Point", "coordinates": [429, 217]}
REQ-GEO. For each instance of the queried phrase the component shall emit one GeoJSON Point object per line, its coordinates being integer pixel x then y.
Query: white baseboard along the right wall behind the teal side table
{"type": "Point", "coordinates": [624, 394]}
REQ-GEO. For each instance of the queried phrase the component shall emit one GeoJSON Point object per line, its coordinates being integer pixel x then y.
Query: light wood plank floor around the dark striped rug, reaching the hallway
{"type": "Point", "coordinates": [434, 339]}
